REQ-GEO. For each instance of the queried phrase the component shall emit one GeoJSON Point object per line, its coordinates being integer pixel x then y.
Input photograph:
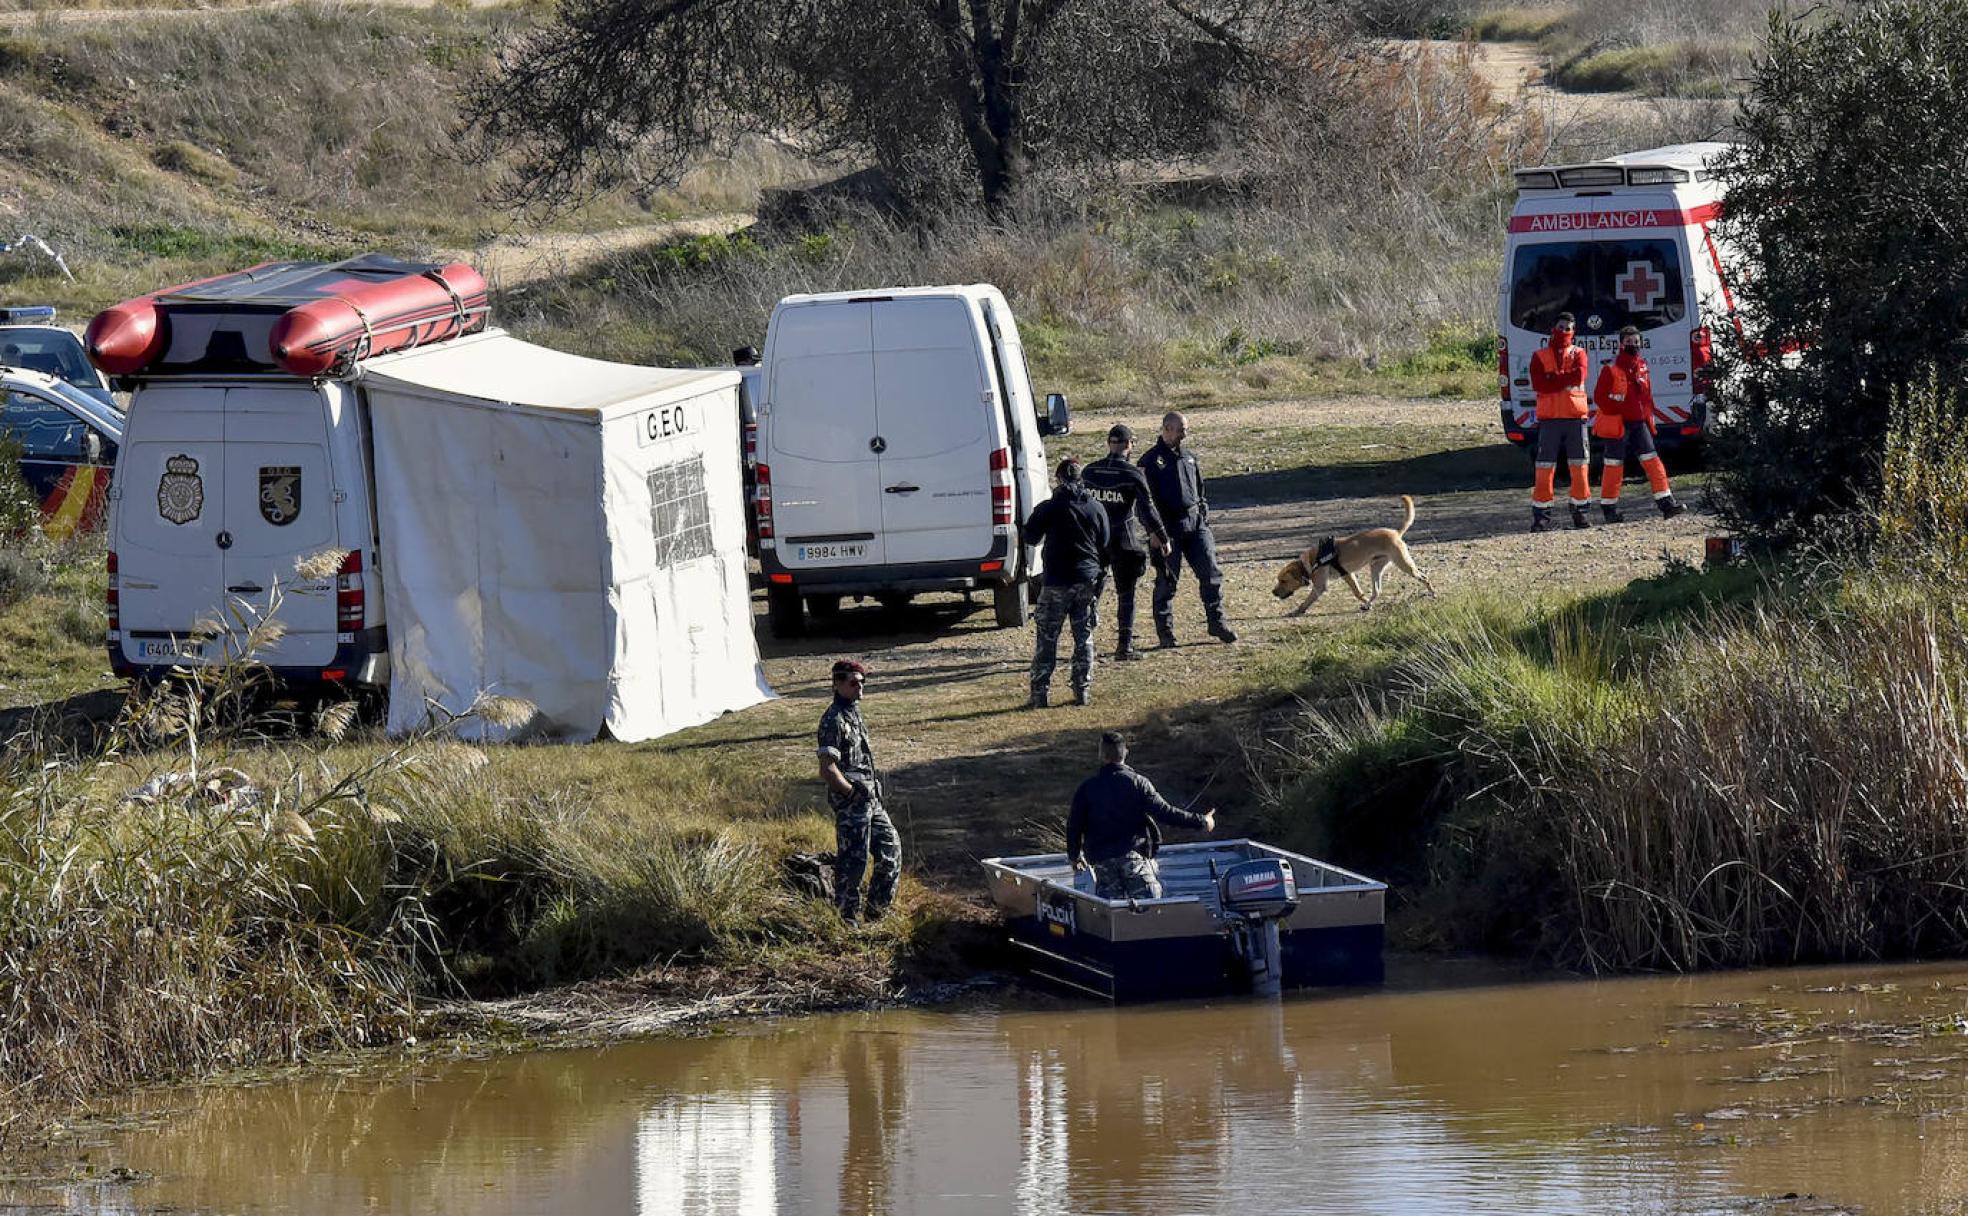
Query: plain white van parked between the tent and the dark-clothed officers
{"type": "Point", "coordinates": [900, 448]}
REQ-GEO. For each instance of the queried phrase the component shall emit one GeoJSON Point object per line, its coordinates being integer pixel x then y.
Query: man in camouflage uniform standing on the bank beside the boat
{"type": "Point", "coordinates": [855, 792]}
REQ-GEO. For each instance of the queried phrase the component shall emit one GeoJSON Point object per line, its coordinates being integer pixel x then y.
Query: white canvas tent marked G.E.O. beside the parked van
{"type": "Point", "coordinates": [562, 530]}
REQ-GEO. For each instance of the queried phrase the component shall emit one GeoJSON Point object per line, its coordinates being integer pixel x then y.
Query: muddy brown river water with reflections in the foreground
{"type": "Point", "coordinates": [1839, 1089]}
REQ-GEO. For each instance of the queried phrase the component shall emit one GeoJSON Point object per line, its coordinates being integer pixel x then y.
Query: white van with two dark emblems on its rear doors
{"type": "Point", "coordinates": [221, 485]}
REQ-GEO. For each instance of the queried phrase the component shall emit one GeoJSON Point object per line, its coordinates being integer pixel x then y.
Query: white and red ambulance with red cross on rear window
{"type": "Point", "coordinates": [1623, 241]}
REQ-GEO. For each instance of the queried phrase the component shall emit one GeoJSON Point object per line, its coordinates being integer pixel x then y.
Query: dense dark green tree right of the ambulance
{"type": "Point", "coordinates": [1849, 194]}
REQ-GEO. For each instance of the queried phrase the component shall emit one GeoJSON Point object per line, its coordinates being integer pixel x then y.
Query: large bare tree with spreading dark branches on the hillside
{"type": "Point", "coordinates": [950, 97]}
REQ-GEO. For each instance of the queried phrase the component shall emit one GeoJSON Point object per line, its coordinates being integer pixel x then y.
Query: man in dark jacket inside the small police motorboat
{"type": "Point", "coordinates": [1113, 825]}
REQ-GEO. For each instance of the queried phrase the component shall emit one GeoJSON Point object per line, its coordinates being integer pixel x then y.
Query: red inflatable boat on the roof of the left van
{"type": "Point", "coordinates": [300, 318]}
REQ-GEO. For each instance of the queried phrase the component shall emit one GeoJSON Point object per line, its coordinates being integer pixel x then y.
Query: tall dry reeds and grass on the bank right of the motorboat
{"type": "Point", "coordinates": [1709, 788]}
